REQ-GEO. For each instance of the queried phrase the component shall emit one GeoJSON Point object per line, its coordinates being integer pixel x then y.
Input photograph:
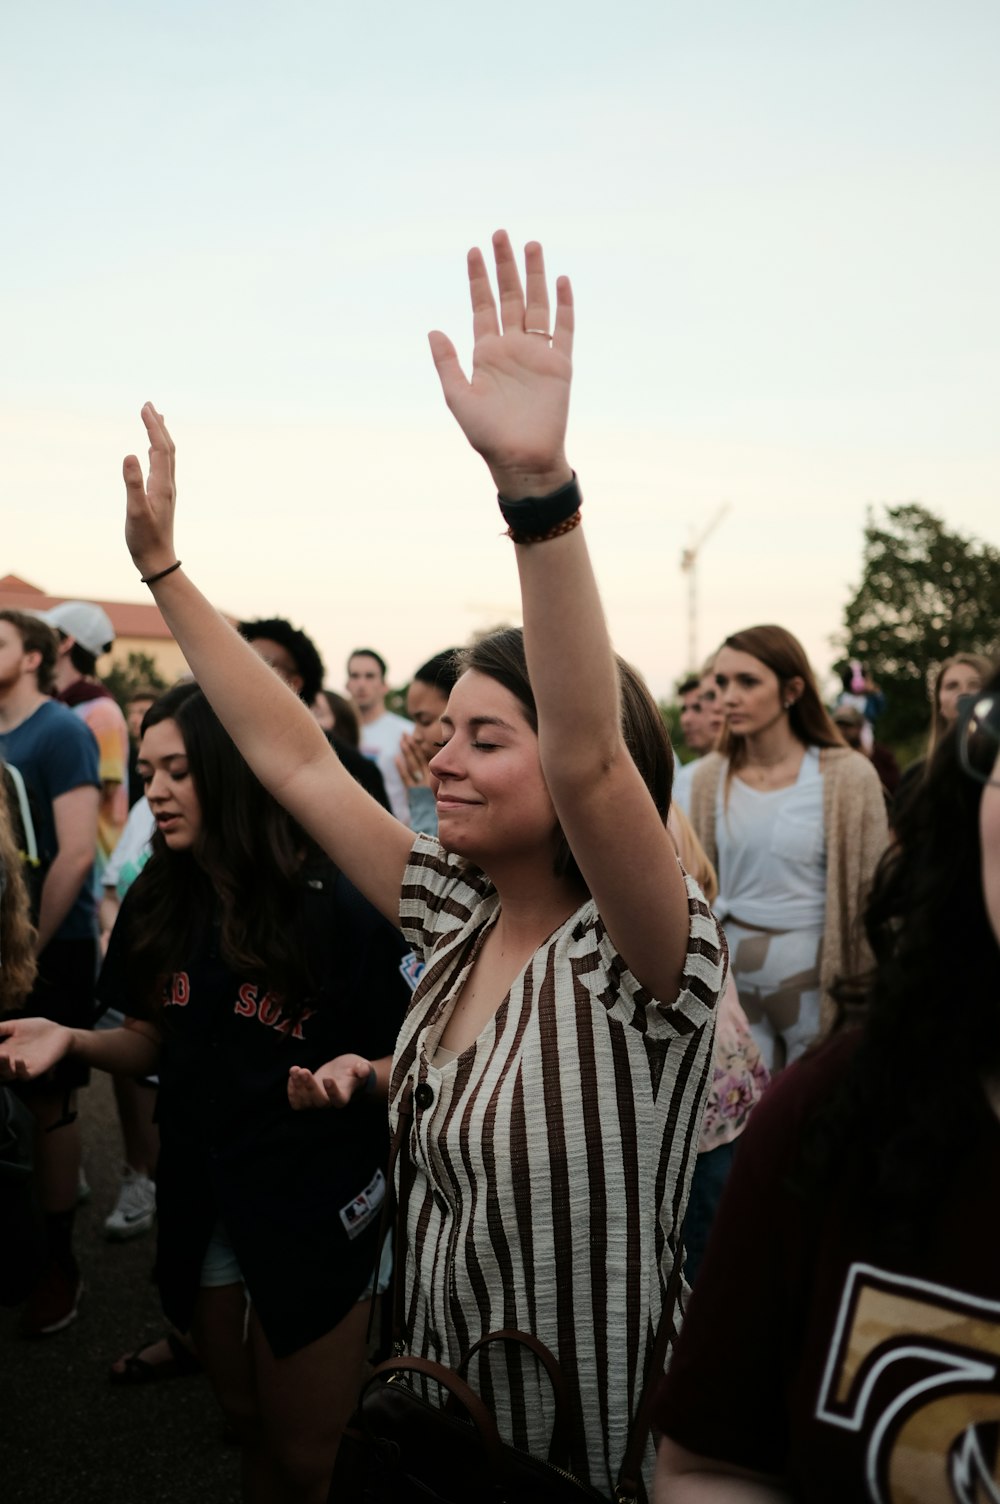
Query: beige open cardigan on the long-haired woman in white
{"type": "Point", "coordinates": [856, 835]}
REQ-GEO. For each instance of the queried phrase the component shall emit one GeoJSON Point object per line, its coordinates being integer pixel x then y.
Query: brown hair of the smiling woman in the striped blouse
{"type": "Point", "coordinates": [502, 656]}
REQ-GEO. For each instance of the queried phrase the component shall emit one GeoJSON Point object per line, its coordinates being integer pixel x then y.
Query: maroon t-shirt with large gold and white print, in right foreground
{"type": "Point", "coordinates": [807, 1357]}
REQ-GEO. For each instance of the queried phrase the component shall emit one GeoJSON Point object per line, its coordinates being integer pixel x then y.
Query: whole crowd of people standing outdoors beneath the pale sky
{"type": "Point", "coordinates": [626, 1017]}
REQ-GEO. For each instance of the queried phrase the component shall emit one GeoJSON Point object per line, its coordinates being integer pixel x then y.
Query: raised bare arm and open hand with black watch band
{"type": "Point", "coordinates": [515, 413]}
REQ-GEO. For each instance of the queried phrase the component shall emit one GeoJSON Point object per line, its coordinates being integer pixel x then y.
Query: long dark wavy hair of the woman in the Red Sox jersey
{"type": "Point", "coordinates": [244, 873]}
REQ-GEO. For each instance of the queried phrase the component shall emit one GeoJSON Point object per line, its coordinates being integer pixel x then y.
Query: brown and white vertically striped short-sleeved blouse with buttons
{"type": "Point", "coordinates": [553, 1157]}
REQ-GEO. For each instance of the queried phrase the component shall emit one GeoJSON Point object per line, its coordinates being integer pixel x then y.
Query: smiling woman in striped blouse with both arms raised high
{"type": "Point", "coordinates": [560, 1040]}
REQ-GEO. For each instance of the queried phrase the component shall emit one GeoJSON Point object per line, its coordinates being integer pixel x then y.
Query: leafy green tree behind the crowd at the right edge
{"type": "Point", "coordinates": [926, 595]}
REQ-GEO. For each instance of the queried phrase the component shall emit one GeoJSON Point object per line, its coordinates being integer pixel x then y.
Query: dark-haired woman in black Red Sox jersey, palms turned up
{"type": "Point", "coordinates": [240, 957]}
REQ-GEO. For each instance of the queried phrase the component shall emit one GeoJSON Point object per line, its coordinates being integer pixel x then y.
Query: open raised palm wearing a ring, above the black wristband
{"type": "Point", "coordinates": [515, 408]}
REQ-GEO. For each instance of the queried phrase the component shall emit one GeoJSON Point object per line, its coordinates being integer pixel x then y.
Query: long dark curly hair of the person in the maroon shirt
{"type": "Point", "coordinates": [912, 1099]}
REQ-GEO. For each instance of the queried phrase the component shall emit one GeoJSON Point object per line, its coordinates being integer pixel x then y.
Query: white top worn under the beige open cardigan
{"type": "Point", "coordinates": [774, 852]}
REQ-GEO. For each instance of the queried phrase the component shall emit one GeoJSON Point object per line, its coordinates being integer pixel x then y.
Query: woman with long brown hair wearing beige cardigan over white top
{"type": "Point", "coordinates": [795, 823]}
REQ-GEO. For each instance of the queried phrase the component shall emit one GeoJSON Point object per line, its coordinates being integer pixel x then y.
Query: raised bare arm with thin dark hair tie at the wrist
{"type": "Point", "coordinates": [271, 727]}
